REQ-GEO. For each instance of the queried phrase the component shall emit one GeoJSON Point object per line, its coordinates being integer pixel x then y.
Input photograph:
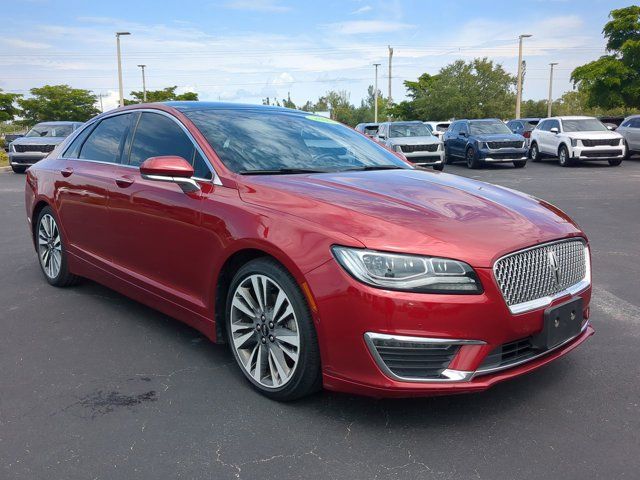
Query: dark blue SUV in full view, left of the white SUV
{"type": "Point", "coordinates": [480, 141]}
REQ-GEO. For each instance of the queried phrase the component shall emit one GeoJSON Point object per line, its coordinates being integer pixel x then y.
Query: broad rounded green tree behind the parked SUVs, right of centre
{"type": "Point", "coordinates": [474, 89]}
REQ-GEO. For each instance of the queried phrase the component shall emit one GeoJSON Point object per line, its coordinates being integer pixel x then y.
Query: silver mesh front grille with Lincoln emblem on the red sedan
{"type": "Point", "coordinates": [533, 273]}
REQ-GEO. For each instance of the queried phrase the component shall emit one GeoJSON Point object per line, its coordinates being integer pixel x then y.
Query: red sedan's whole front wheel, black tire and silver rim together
{"type": "Point", "coordinates": [255, 331]}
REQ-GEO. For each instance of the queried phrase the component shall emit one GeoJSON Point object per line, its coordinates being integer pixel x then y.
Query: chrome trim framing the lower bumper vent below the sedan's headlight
{"type": "Point", "coordinates": [450, 374]}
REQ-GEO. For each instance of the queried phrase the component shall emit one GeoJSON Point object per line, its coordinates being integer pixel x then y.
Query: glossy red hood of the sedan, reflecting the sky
{"type": "Point", "coordinates": [415, 211]}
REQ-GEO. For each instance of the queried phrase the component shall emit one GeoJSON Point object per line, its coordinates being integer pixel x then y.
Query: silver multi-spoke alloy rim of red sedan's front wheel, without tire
{"type": "Point", "coordinates": [264, 331]}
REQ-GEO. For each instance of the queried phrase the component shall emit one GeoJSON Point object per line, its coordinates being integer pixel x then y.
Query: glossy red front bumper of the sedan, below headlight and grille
{"type": "Point", "coordinates": [350, 314]}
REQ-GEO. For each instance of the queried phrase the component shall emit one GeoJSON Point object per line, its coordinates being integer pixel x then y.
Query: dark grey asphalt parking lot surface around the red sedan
{"type": "Point", "coordinates": [96, 386]}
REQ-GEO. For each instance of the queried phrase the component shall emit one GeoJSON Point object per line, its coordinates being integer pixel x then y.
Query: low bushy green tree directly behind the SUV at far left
{"type": "Point", "coordinates": [57, 102]}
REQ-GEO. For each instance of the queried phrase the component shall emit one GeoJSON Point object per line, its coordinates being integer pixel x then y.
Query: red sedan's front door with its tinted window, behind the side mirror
{"type": "Point", "coordinates": [158, 240]}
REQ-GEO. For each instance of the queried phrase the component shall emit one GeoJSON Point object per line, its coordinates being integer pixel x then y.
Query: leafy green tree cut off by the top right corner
{"type": "Point", "coordinates": [614, 80]}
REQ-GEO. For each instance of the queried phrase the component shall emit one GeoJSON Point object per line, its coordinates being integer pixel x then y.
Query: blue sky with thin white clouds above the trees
{"type": "Point", "coordinates": [246, 50]}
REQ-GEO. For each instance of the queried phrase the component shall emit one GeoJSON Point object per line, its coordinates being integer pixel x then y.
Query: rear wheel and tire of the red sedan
{"type": "Point", "coordinates": [51, 250]}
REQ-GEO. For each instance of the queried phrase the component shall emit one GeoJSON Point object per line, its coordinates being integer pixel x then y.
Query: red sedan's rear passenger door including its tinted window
{"type": "Point", "coordinates": [86, 176]}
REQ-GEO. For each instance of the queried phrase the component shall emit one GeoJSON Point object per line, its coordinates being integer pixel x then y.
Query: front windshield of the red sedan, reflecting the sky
{"type": "Point", "coordinates": [253, 141]}
